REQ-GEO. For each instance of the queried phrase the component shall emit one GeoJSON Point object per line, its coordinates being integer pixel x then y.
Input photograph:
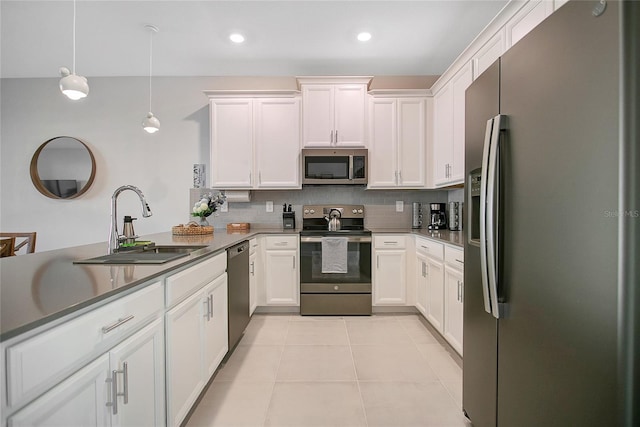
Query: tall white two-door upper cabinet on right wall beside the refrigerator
{"type": "Point", "coordinates": [448, 137]}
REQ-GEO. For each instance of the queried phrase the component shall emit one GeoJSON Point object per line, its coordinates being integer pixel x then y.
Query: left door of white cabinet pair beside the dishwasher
{"type": "Point", "coordinates": [184, 357]}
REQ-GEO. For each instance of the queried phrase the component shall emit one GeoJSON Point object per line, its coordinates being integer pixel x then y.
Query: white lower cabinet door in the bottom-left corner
{"type": "Point", "coordinates": [78, 401]}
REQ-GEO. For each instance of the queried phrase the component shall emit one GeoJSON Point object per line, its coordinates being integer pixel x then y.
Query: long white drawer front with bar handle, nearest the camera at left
{"type": "Point", "coordinates": [45, 359]}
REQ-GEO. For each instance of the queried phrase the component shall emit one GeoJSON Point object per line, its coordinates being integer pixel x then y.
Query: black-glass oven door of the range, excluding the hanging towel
{"type": "Point", "coordinates": [357, 278]}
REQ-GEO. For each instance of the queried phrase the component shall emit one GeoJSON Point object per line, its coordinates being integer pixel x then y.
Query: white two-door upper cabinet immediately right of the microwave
{"type": "Point", "coordinates": [397, 142]}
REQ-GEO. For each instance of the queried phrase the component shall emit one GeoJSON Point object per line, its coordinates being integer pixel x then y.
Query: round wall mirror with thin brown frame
{"type": "Point", "coordinates": [63, 168]}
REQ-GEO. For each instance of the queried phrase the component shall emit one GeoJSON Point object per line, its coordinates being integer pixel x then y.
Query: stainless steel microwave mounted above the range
{"type": "Point", "coordinates": [334, 166]}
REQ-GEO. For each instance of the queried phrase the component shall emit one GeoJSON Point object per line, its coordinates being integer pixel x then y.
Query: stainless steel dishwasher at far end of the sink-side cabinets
{"type": "Point", "coordinates": [238, 272]}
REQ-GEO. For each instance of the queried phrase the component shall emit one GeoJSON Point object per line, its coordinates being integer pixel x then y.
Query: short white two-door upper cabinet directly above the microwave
{"type": "Point", "coordinates": [334, 111]}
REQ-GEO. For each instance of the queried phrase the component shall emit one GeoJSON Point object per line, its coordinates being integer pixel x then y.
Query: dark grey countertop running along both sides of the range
{"type": "Point", "coordinates": [39, 288]}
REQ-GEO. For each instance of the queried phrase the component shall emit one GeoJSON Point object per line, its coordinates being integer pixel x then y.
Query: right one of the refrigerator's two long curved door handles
{"type": "Point", "coordinates": [492, 214]}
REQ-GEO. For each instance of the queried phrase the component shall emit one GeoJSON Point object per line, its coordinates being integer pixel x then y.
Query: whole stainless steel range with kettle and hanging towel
{"type": "Point", "coordinates": [335, 261]}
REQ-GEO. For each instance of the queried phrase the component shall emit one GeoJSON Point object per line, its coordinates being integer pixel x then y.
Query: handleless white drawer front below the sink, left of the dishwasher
{"type": "Point", "coordinates": [186, 282]}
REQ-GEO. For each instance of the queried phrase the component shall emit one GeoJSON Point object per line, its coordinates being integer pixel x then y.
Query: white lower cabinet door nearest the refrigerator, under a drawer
{"type": "Point", "coordinates": [453, 316]}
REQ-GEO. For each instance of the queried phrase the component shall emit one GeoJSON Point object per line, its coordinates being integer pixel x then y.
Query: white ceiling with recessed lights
{"type": "Point", "coordinates": [283, 38]}
